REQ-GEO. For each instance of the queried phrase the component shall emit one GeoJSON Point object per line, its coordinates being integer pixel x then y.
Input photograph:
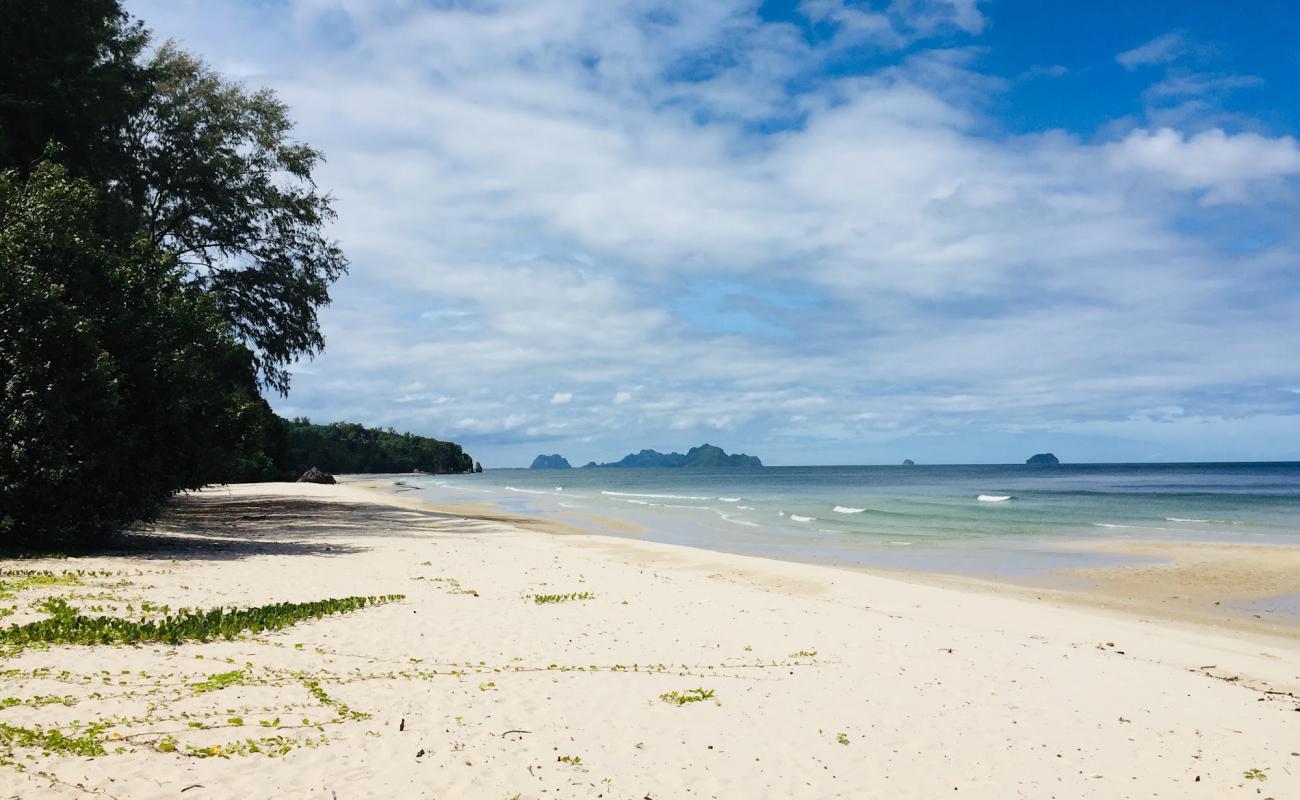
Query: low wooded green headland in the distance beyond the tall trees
{"type": "Point", "coordinates": [352, 448]}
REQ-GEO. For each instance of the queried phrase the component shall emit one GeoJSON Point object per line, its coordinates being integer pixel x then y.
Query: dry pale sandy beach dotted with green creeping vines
{"type": "Point", "coordinates": [818, 682]}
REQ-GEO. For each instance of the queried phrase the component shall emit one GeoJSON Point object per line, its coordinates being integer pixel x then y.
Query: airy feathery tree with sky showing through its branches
{"type": "Point", "coordinates": [215, 179]}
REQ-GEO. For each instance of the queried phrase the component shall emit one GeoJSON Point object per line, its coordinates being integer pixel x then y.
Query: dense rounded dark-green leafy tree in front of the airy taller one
{"type": "Point", "coordinates": [119, 383]}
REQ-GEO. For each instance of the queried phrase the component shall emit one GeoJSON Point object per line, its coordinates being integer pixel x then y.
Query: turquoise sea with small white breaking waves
{"type": "Point", "coordinates": [1002, 520]}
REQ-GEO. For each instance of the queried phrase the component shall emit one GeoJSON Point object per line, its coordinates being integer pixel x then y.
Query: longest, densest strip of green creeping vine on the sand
{"type": "Point", "coordinates": [66, 626]}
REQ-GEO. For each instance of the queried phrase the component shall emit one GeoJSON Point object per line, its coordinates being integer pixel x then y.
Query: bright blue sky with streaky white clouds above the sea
{"type": "Point", "coordinates": [812, 231]}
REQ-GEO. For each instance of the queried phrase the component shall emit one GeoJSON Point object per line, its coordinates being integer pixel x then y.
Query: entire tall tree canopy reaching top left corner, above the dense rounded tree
{"type": "Point", "coordinates": [207, 168]}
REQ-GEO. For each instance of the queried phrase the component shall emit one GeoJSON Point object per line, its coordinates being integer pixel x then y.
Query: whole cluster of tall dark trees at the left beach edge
{"type": "Point", "coordinates": [163, 258]}
